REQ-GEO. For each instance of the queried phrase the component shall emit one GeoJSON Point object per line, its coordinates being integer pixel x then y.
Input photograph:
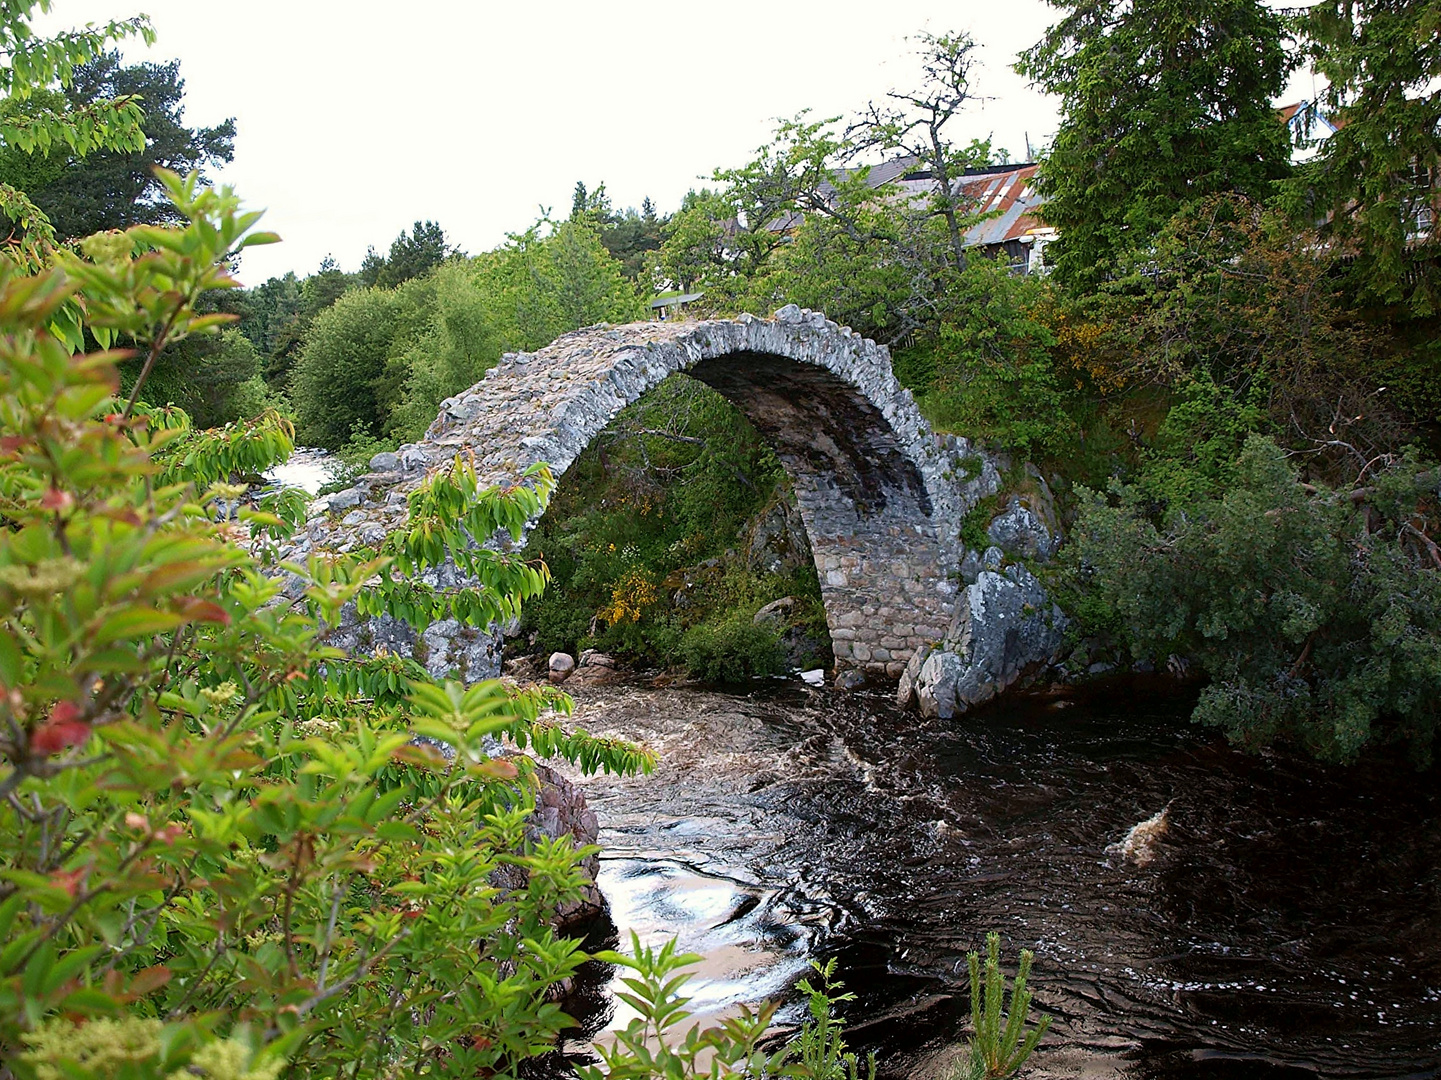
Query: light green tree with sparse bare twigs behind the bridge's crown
{"type": "Point", "coordinates": [798, 226]}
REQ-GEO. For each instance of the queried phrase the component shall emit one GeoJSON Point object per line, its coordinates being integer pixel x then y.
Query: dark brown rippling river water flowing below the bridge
{"type": "Point", "coordinates": [1290, 924]}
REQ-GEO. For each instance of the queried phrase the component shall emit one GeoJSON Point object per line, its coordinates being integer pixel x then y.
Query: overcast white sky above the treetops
{"type": "Point", "coordinates": [357, 119]}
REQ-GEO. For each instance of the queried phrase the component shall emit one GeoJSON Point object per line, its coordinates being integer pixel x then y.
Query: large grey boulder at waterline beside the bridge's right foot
{"type": "Point", "coordinates": [1007, 628]}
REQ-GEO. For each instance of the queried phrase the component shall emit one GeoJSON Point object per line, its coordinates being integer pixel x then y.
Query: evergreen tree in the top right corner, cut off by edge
{"type": "Point", "coordinates": [1378, 180]}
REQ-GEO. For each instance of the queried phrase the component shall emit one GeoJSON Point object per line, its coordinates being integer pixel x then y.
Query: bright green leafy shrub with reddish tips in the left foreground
{"type": "Point", "coordinates": [223, 849]}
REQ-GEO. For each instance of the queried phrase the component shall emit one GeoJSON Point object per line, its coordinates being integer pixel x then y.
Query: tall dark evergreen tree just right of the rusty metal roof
{"type": "Point", "coordinates": [1164, 102]}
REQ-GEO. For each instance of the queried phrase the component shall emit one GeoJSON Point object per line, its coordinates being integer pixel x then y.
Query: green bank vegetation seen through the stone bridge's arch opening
{"type": "Point", "coordinates": [666, 536]}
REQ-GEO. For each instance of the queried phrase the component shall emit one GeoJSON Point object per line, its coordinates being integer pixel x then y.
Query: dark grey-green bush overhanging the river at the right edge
{"type": "Point", "coordinates": [1316, 614]}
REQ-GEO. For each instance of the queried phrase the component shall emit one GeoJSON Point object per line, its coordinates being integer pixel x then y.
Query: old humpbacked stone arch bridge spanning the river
{"type": "Point", "coordinates": [883, 497]}
